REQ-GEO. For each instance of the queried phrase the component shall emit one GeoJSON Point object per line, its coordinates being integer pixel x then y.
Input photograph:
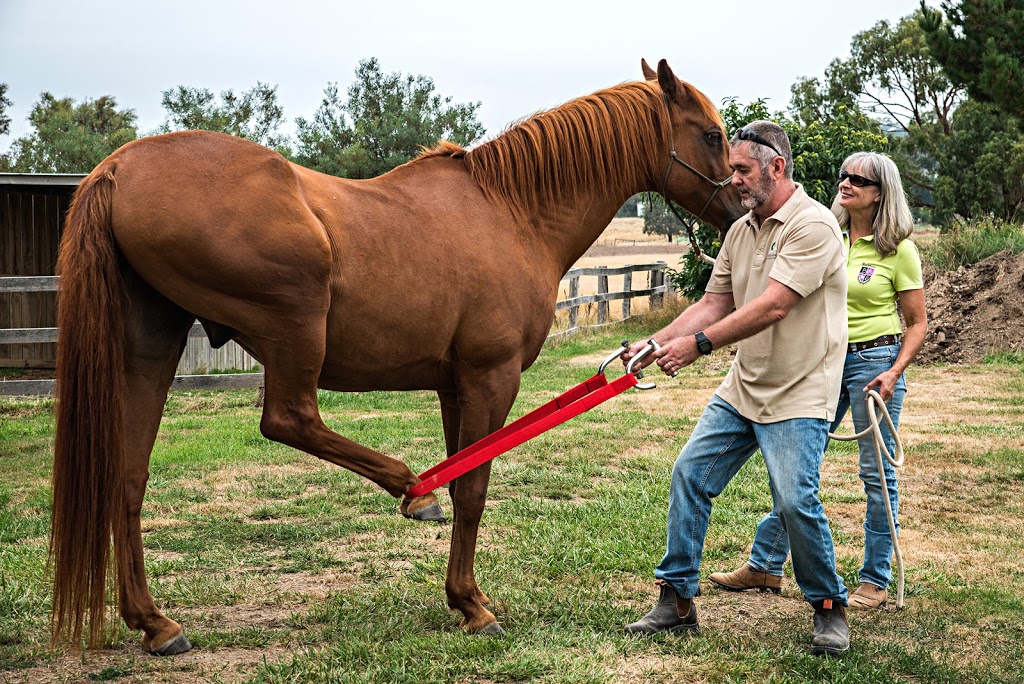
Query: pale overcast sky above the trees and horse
{"type": "Point", "coordinates": [514, 58]}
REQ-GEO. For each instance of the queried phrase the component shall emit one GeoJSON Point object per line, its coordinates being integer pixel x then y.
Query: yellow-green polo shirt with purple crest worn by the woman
{"type": "Point", "coordinates": [874, 282]}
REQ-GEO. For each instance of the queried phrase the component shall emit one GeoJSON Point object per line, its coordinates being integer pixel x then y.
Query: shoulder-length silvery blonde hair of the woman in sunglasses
{"type": "Point", "coordinates": [893, 223]}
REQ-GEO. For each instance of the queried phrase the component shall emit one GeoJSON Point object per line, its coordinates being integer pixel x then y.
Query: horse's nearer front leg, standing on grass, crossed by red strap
{"type": "Point", "coordinates": [485, 402]}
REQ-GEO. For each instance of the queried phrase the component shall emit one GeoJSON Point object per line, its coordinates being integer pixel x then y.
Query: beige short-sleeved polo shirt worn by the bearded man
{"type": "Point", "coordinates": [795, 367]}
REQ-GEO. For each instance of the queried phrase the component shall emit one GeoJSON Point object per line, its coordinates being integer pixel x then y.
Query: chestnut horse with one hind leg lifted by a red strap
{"type": "Point", "coordinates": [442, 275]}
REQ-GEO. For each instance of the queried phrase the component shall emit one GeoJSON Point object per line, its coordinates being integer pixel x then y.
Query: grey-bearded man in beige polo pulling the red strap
{"type": "Point", "coordinates": [782, 269]}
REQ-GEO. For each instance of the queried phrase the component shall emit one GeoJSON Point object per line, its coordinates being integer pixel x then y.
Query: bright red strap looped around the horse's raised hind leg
{"type": "Point", "coordinates": [580, 400]}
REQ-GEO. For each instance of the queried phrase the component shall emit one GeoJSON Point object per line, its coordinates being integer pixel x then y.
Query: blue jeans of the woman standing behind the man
{"type": "Point", "coordinates": [771, 543]}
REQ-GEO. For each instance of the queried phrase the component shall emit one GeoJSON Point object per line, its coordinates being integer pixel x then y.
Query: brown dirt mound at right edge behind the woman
{"type": "Point", "coordinates": [975, 311]}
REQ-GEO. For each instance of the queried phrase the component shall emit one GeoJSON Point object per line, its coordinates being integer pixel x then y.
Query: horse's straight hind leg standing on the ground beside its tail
{"type": "Point", "coordinates": [156, 332]}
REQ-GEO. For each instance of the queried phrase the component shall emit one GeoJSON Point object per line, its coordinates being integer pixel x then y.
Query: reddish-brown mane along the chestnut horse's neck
{"type": "Point", "coordinates": [600, 142]}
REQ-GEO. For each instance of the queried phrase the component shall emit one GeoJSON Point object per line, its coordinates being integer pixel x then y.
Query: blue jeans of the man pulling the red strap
{"type": "Point", "coordinates": [722, 442]}
